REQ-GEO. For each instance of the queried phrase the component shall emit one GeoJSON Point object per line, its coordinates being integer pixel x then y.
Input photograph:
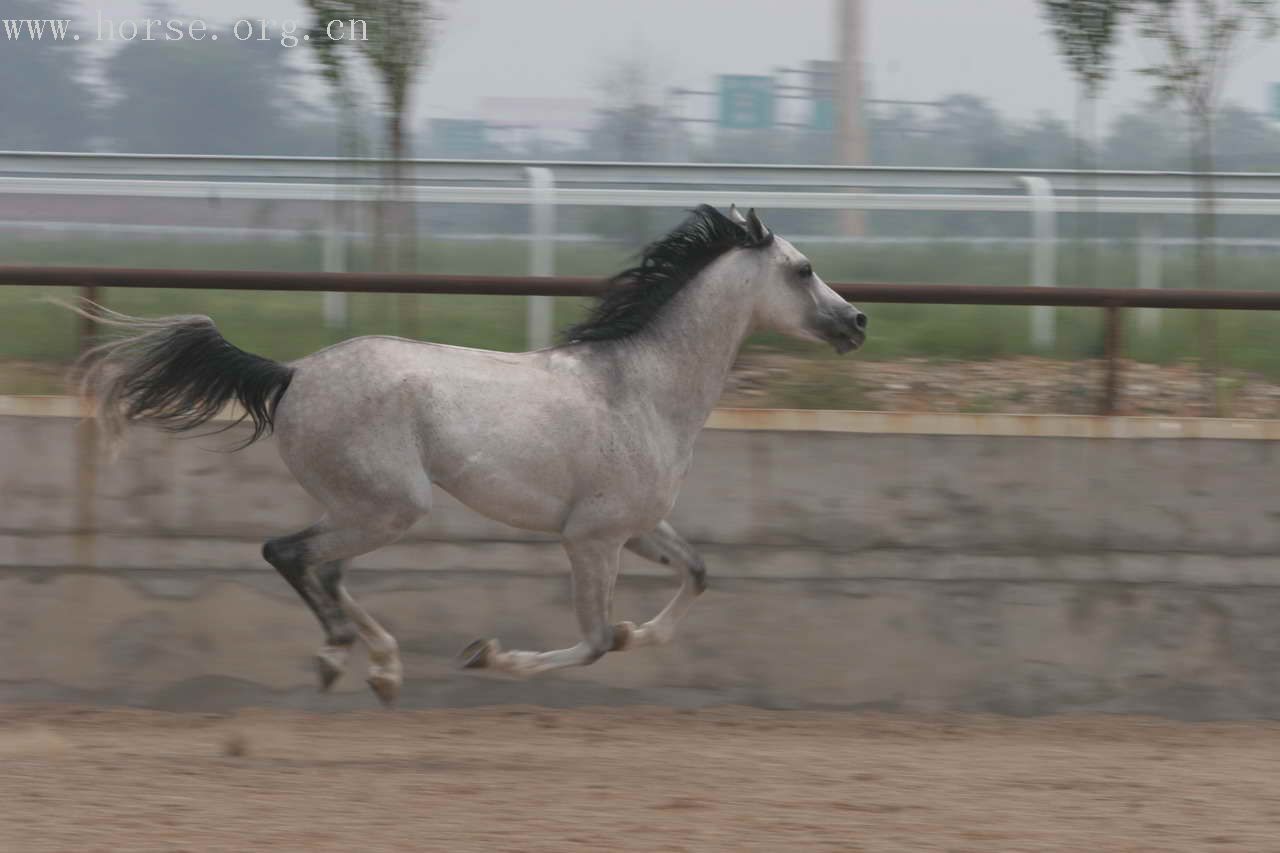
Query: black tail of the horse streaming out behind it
{"type": "Point", "coordinates": [179, 373]}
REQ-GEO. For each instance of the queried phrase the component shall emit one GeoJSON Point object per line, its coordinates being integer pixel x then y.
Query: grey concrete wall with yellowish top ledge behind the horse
{"type": "Point", "coordinates": [1018, 565]}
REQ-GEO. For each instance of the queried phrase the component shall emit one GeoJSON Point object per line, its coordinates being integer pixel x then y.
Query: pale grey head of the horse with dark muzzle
{"type": "Point", "coordinates": [792, 299]}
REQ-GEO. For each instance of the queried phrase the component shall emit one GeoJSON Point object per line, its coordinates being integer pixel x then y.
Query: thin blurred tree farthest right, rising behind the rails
{"type": "Point", "coordinates": [1199, 40]}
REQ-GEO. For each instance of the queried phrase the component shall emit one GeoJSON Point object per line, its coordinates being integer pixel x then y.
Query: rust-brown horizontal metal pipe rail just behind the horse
{"type": "Point", "coordinates": [1113, 300]}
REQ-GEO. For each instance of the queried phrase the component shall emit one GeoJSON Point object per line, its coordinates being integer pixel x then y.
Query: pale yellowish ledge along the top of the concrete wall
{"type": "Point", "coordinates": [883, 423]}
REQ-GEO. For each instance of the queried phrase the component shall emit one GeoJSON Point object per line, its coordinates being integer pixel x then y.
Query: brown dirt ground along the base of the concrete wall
{"type": "Point", "coordinates": [630, 779]}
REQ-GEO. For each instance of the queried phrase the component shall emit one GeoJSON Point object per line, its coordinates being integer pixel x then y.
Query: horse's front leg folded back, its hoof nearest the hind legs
{"type": "Point", "coordinates": [595, 564]}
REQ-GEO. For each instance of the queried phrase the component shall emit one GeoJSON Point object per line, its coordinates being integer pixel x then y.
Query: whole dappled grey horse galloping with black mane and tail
{"type": "Point", "coordinates": [589, 440]}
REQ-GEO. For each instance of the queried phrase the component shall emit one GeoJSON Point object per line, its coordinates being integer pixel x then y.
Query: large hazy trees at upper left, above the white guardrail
{"type": "Point", "coordinates": [186, 97]}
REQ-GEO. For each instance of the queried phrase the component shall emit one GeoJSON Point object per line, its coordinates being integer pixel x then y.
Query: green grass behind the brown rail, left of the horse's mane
{"type": "Point", "coordinates": [287, 326]}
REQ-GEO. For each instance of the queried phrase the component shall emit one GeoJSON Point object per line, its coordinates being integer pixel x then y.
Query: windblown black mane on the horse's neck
{"type": "Point", "coordinates": [638, 294]}
